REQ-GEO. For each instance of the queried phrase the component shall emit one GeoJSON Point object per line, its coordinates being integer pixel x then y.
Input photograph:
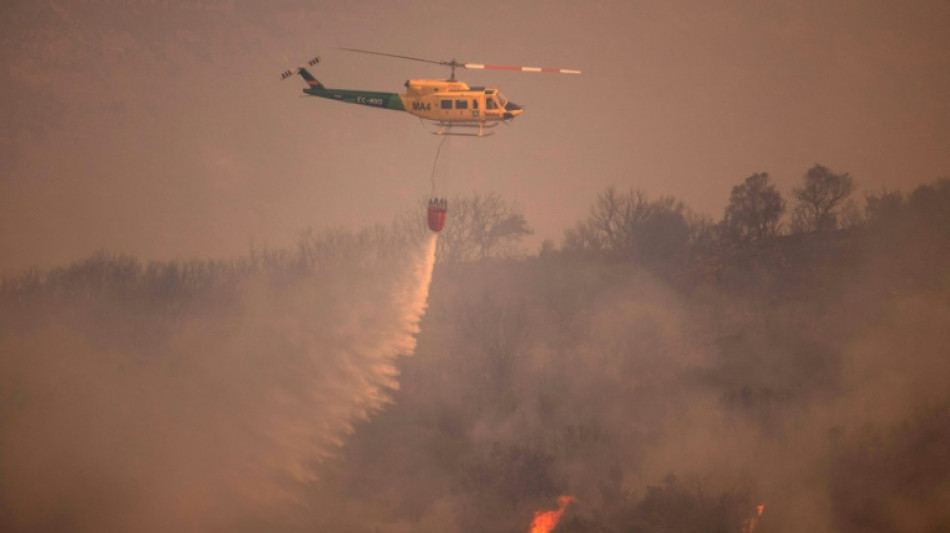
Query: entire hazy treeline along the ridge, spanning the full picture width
{"type": "Point", "coordinates": [663, 235]}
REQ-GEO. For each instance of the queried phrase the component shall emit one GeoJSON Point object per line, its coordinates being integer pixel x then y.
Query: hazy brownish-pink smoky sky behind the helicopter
{"type": "Point", "coordinates": [160, 128]}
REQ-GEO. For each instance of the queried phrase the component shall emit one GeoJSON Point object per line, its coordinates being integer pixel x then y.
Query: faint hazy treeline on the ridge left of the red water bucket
{"type": "Point", "coordinates": [115, 283]}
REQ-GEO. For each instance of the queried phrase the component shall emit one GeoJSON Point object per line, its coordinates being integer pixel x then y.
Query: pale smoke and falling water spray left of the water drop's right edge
{"type": "Point", "coordinates": [220, 424]}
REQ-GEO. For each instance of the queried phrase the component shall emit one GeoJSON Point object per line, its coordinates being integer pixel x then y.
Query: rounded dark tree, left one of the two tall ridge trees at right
{"type": "Point", "coordinates": [754, 210]}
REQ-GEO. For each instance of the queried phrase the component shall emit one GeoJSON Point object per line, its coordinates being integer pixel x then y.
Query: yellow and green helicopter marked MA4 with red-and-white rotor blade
{"type": "Point", "coordinates": [446, 104]}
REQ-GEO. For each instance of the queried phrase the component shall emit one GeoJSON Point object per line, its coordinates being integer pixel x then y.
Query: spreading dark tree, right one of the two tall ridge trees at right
{"type": "Point", "coordinates": [821, 201]}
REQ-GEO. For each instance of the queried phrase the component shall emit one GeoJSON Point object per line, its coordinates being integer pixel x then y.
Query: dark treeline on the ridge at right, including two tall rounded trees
{"type": "Point", "coordinates": [760, 233]}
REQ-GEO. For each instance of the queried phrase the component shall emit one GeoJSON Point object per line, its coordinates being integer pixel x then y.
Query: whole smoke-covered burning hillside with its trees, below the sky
{"type": "Point", "coordinates": [669, 372]}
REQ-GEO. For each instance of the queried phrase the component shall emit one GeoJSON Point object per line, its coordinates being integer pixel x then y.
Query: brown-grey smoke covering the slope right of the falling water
{"type": "Point", "coordinates": [662, 409]}
